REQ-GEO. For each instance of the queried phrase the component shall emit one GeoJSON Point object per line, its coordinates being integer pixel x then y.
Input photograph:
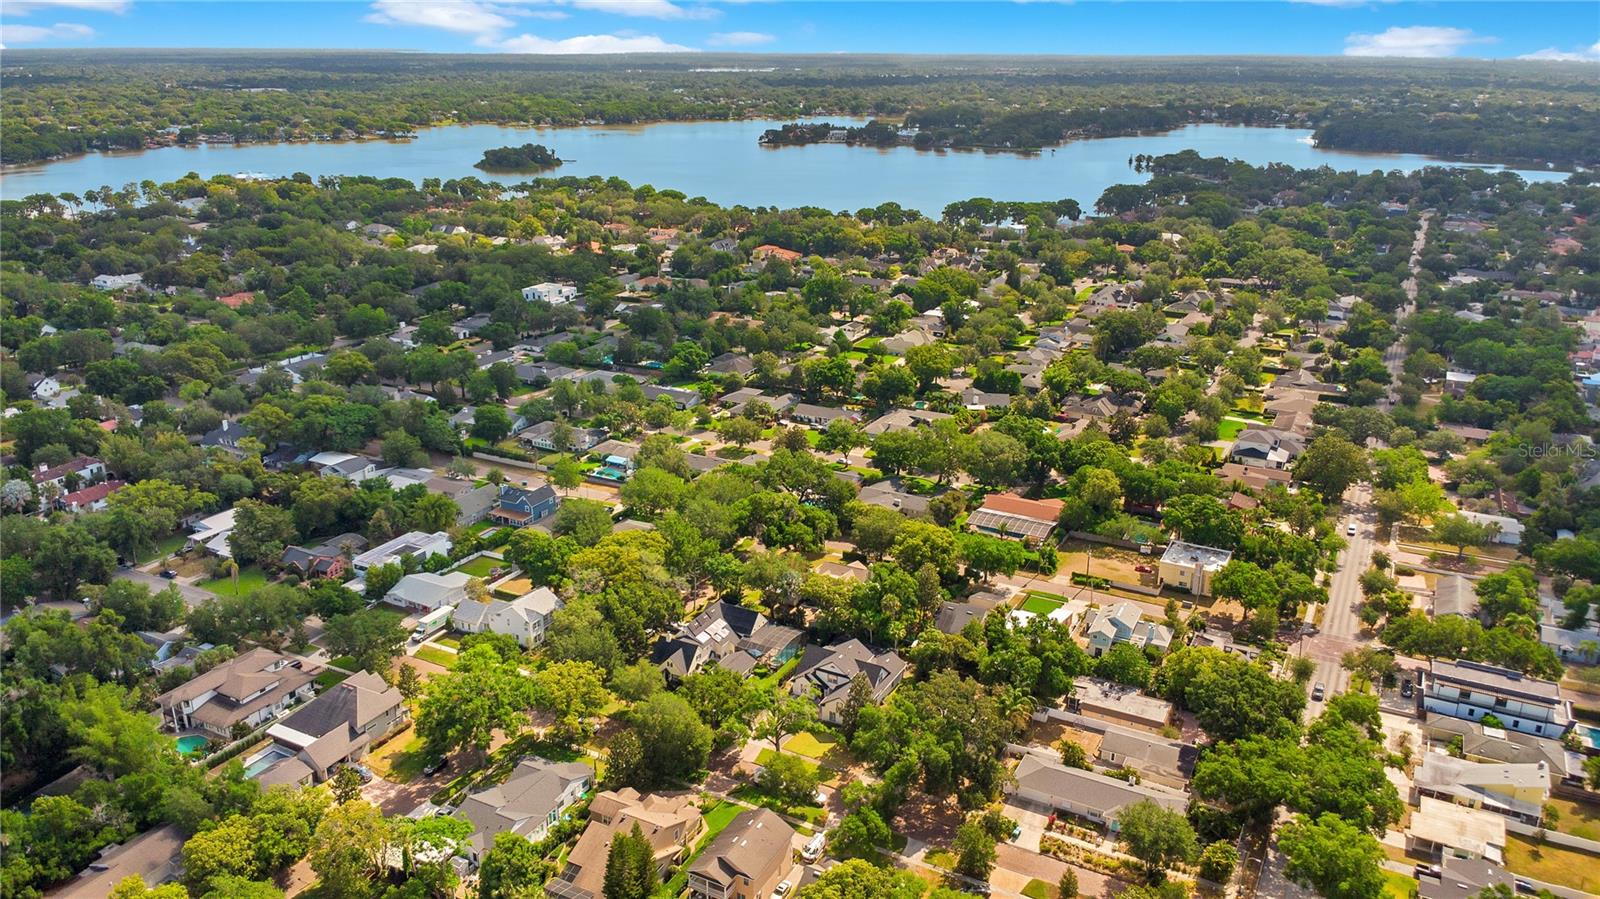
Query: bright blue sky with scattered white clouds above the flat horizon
{"type": "Point", "coordinates": [1316, 28]}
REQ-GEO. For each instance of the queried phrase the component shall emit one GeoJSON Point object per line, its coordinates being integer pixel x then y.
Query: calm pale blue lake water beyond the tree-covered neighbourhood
{"type": "Point", "coordinates": [722, 162]}
